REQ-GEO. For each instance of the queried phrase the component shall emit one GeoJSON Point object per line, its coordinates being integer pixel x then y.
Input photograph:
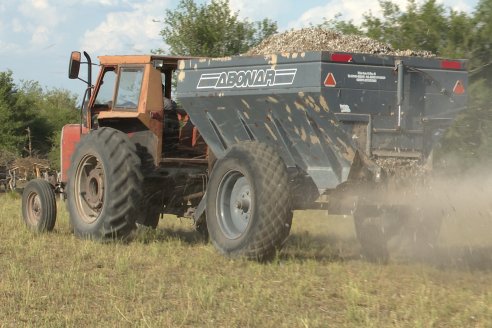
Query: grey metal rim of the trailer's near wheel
{"type": "Point", "coordinates": [234, 204]}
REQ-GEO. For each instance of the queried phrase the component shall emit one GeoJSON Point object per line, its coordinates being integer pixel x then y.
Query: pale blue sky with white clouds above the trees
{"type": "Point", "coordinates": [37, 36]}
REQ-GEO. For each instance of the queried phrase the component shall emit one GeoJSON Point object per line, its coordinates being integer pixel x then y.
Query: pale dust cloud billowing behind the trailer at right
{"type": "Point", "coordinates": [452, 212]}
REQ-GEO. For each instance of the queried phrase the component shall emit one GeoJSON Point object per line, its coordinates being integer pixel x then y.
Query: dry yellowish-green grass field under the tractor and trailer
{"type": "Point", "coordinates": [171, 278]}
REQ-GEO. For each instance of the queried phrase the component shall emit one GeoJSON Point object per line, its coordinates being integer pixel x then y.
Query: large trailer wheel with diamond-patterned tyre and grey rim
{"type": "Point", "coordinates": [248, 202]}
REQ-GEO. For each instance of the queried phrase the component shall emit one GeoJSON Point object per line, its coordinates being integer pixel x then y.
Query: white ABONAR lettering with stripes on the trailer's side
{"type": "Point", "coordinates": [247, 79]}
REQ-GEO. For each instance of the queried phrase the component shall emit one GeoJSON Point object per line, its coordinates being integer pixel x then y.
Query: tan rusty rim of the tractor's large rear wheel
{"type": "Point", "coordinates": [89, 188]}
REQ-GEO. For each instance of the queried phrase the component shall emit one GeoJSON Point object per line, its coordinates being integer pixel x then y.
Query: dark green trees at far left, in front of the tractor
{"type": "Point", "coordinates": [29, 111]}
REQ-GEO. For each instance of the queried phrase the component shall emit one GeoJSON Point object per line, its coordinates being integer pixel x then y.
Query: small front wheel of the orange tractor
{"type": "Point", "coordinates": [39, 206]}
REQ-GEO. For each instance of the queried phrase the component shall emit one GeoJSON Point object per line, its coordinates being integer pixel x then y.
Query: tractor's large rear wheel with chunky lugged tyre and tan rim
{"type": "Point", "coordinates": [104, 189]}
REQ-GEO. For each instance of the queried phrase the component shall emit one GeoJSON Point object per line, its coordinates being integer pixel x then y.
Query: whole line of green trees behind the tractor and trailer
{"type": "Point", "coordinates": [29, 112]}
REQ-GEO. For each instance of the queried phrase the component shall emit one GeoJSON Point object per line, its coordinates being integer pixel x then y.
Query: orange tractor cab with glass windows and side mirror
{"type": "Point", "coordinates": [135, 94]}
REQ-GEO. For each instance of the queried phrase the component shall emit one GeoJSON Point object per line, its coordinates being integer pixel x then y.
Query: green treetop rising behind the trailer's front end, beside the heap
{"type": "Point", "coordinates": [211, 30]}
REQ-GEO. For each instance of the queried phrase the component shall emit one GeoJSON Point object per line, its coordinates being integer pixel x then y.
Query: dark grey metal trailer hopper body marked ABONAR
{"type": "Point", "coordinates": [324, 112]}
